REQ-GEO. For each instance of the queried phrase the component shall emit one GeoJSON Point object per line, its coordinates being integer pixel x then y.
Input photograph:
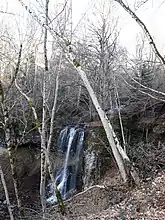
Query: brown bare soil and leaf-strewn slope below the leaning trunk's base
{"type": "Point", "coordinates": [116, 202]}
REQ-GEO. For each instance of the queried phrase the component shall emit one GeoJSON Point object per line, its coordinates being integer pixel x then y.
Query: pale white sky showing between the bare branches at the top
{"type": "Point", "coordinates": [152, 13]}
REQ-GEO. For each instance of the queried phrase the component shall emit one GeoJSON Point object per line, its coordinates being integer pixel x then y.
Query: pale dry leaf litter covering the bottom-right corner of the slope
{"type": "Point", "coordinates": [146, 202]}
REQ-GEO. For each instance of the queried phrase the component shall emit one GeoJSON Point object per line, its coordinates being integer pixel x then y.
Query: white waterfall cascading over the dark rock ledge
{"type": "Point", "coordinates": [67, 177]}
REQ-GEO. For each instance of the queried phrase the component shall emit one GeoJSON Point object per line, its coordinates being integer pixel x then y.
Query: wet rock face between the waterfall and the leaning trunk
{"type": "Point", "coordinates": [98, 158]}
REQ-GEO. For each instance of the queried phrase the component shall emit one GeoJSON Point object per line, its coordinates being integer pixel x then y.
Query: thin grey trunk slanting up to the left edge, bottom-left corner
{"type": "Point", "coordinates": [6, 194]}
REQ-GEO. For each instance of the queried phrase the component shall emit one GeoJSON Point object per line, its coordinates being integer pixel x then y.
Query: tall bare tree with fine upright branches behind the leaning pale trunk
{"type": "Point", "coordinates": [104, 47]}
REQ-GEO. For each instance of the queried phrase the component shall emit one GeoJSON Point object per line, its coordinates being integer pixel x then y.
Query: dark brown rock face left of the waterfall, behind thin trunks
{"type": "Point", "coordinates": [27, 165]}
